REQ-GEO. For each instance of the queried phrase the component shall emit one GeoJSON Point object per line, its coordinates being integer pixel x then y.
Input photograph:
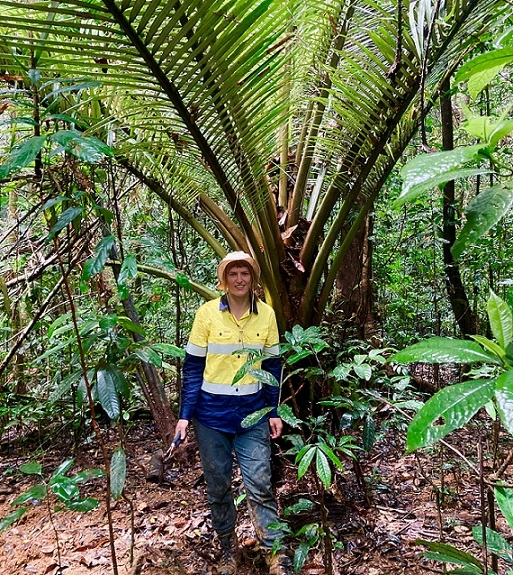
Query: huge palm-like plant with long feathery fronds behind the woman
{"type": "Point", "coordinates": [280, 120]}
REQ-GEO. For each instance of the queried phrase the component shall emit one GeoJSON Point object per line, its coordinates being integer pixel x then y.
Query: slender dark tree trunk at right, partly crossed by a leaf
{"type": "Point", "coordinates": [456, 291]}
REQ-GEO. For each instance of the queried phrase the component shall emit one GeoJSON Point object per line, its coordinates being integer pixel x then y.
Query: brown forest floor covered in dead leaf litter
{"type": "Point", "coordinates": [377, 521]}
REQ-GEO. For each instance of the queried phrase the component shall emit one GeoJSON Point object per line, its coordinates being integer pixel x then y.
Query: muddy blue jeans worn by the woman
{"type": "Point", "coordinates": [253, 451]}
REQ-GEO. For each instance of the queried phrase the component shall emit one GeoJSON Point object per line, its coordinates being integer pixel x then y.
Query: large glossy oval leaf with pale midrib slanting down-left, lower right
{"type": "Point", "coordinates": [449, 409]}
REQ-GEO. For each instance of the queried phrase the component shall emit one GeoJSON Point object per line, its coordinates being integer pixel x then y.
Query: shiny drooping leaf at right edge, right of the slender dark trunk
{"type": "Point", "coordinates": [482, 213]}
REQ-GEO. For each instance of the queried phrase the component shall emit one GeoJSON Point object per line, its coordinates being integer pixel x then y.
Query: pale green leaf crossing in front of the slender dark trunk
{"type": "Point", "coordinates": [426, 171]}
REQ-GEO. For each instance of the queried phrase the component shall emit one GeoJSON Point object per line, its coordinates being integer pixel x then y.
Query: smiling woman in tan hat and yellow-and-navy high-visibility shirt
{"type": "Point", "coordinates": [222, 332]}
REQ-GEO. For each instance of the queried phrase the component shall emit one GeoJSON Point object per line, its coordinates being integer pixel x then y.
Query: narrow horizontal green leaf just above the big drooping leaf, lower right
{"type": "Point", "coordinates": [444, 350]}
